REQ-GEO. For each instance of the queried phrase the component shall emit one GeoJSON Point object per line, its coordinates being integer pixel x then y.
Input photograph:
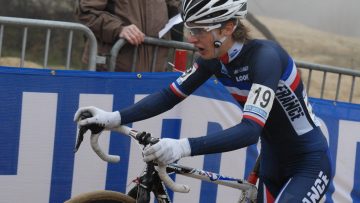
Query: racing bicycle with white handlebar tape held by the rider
{"type": "Point", "coordinates": [155, 178]}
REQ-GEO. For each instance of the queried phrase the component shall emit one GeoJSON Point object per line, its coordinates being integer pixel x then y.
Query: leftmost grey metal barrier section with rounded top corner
{"type": "Point", "coordinates": [48, 26]}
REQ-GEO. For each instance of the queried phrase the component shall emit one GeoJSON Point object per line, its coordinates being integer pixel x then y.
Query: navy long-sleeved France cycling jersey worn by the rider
{"type": "Point", "coordinates": [264, 79]}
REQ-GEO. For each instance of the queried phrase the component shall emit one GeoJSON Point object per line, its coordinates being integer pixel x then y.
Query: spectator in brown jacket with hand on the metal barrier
{"type": "Point", "coordinates": [129, 19]}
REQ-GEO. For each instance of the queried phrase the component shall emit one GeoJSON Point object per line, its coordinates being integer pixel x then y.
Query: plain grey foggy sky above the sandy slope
{"type": "Point", "coordinates": [336, 16]}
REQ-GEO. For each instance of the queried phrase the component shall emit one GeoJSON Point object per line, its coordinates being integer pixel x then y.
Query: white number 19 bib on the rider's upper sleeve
{"type": "Point", "coordinates": [259, 101]}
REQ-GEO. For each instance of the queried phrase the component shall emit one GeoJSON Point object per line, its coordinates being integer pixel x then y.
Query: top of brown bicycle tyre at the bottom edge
{"type": "Point", "coordinates": [101, 196]}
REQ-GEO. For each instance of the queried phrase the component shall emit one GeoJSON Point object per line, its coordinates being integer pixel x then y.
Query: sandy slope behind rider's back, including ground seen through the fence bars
{"type": "Point", "coordinates": [315, 46]}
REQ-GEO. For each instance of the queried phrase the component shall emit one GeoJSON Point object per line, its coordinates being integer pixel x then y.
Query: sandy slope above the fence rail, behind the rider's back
{"type": "Point", "coordinates": [308, 44]}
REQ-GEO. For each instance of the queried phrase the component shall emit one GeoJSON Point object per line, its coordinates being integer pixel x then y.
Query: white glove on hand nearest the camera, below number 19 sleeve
{"type": "Point", "coordinates": [167, 151]}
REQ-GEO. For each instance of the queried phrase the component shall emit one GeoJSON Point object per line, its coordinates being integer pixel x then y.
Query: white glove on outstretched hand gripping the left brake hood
{"type": "Point", "coordinates": [108, 120]}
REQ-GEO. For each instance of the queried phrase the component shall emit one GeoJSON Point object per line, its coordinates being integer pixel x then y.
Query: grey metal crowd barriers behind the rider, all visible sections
{"type": "Point", "coordinates": [321, 81]}
